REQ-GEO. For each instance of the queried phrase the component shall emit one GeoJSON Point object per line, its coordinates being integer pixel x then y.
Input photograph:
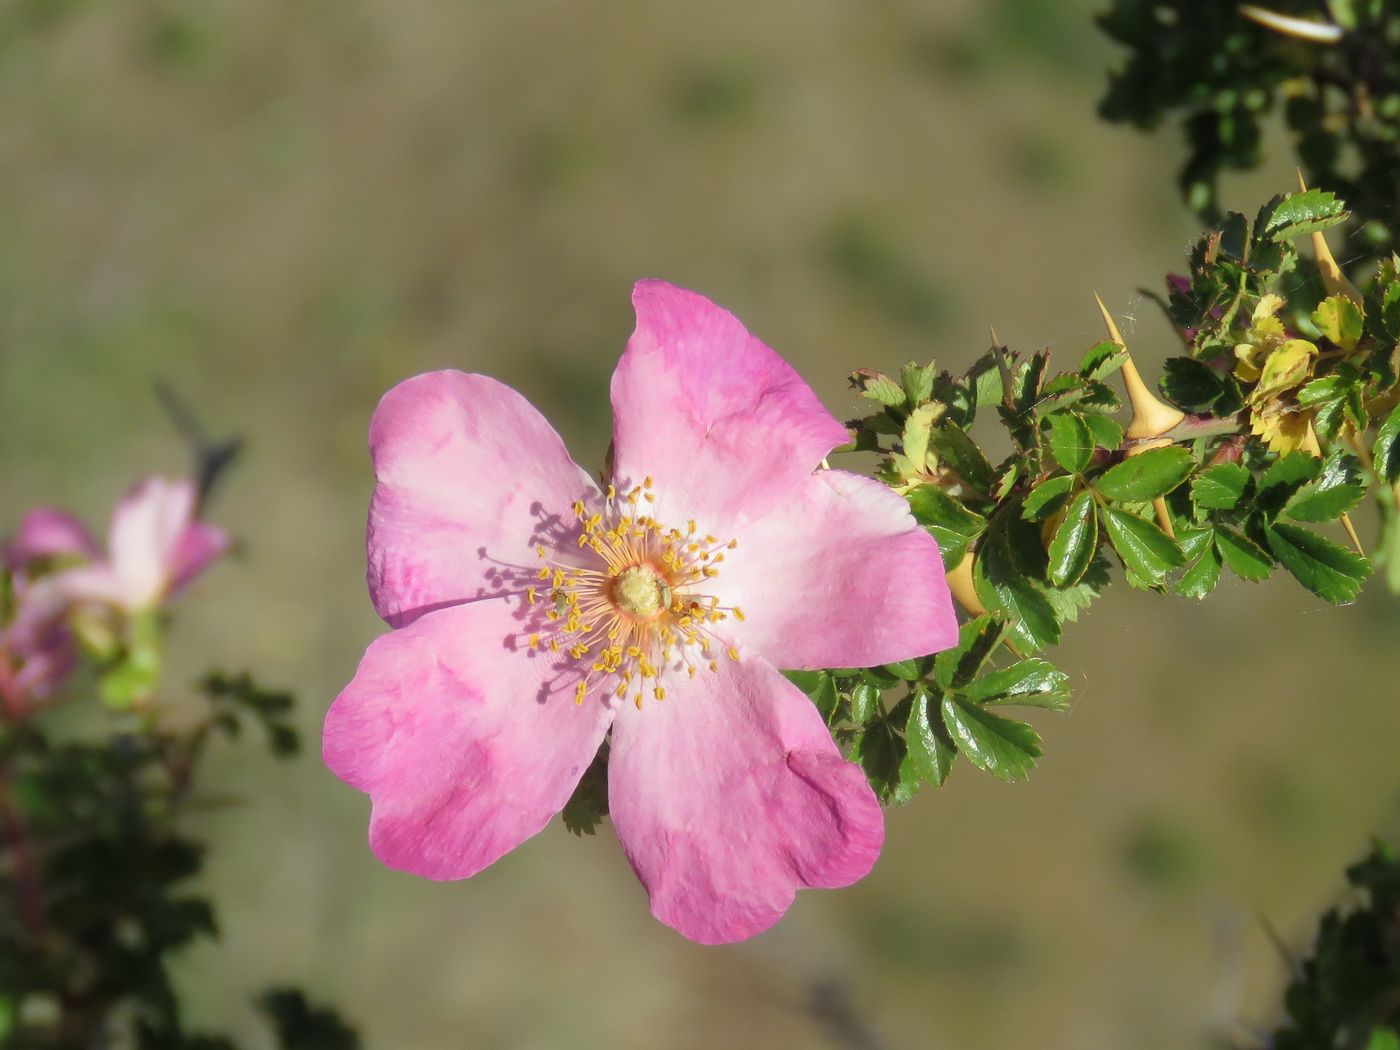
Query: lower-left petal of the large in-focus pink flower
{"type": "Point", "coordinates": [467, 741]}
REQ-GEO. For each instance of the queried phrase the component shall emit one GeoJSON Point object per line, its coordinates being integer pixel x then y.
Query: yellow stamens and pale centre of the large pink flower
{"type": "Point", "coordinates": [639, 605]}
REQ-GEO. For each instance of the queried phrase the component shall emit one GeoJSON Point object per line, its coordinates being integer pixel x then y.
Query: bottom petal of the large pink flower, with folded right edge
{"type": "Point", "coordinates": [730, 796]}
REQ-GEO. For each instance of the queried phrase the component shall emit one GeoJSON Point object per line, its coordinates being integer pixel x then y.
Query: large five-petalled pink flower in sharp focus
{"type": "Point", "coordinates": [535, 612]}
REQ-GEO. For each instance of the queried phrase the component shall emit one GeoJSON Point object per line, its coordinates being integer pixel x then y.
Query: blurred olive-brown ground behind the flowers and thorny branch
{"type": "Point", "coordinates": [283, 209]}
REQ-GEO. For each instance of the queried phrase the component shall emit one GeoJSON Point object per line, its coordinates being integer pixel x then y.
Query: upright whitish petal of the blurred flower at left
{"type": "Point", "coordinates": [146, 530]}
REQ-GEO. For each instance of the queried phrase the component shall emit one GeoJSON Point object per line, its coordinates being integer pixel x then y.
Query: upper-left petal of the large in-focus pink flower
{"type": "Point", "coordinates": [471, 478]}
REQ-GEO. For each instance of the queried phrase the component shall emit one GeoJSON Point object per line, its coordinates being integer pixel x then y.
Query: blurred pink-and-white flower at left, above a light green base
{"type": "Point", "coordinates": [156, 548]}
